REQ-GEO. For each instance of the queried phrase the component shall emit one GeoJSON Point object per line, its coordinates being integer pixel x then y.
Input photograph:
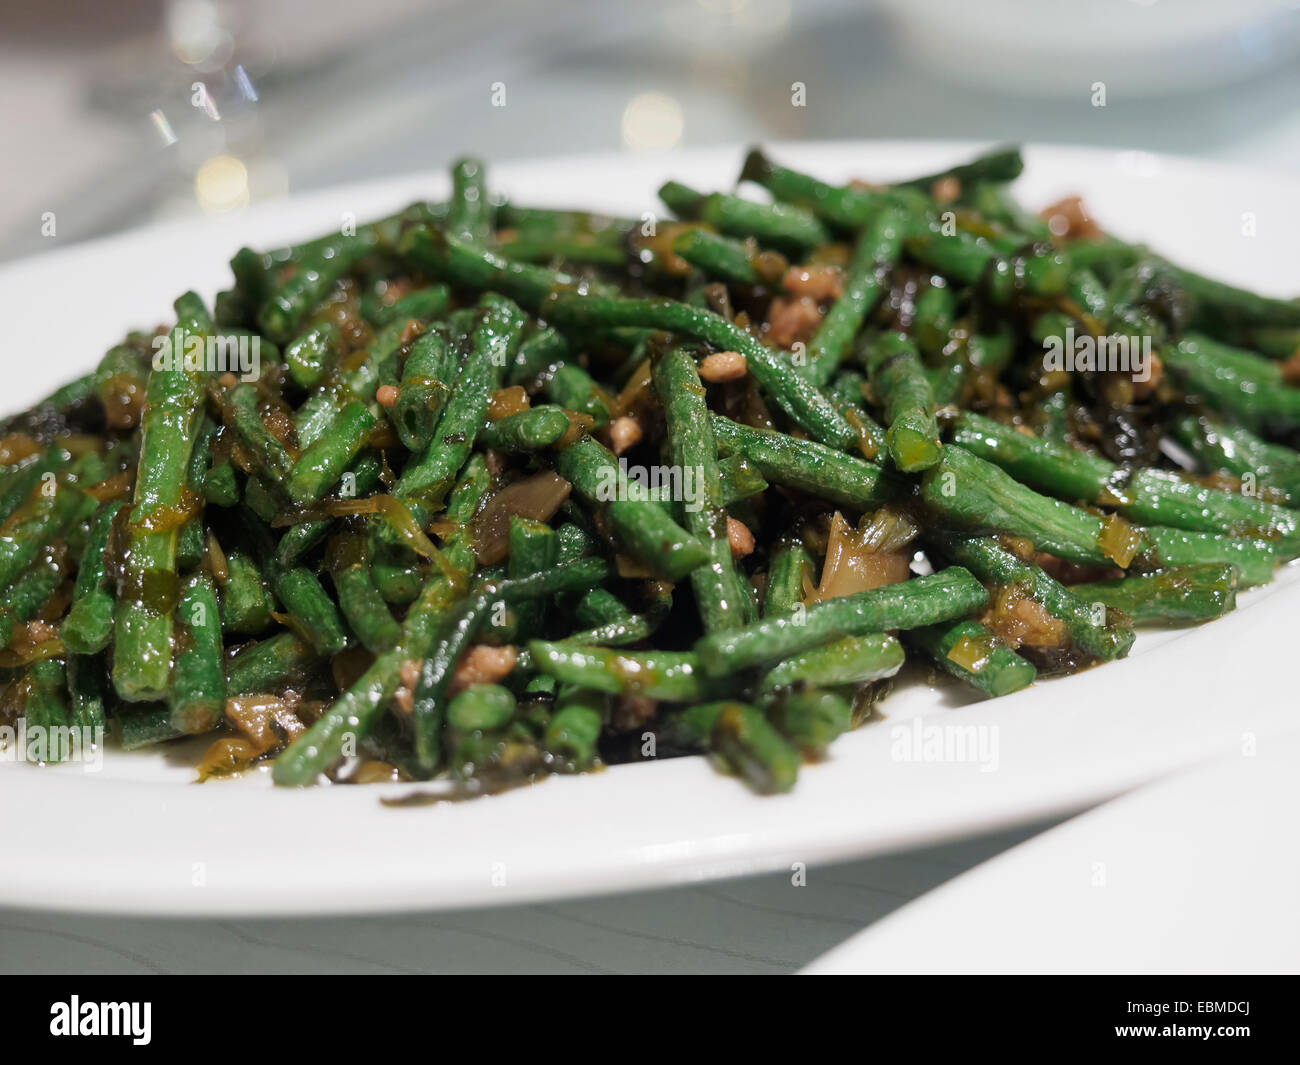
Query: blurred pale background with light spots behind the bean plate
{"type": "Point", "coordinates": [119, 114]}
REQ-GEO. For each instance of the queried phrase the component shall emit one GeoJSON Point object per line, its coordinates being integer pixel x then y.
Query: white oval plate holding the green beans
{"type": "Point", "coordinates": [138, 837]}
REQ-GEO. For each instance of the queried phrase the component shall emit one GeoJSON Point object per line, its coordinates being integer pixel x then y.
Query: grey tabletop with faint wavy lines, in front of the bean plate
{"type": "Point", "coordinates": [756, 925]}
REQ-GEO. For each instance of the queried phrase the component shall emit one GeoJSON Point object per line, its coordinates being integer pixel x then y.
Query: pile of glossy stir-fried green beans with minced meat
{"type": "Point", "coordinates": [514, 491]}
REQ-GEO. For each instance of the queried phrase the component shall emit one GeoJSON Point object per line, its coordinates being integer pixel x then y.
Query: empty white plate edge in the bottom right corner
{"type": "Point", "coordinates": [1195, 874]}
